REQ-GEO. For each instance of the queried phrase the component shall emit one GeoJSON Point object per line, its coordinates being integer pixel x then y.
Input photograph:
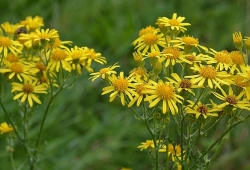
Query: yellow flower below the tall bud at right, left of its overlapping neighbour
{"type": "Point", "coordinates": [222, 59]}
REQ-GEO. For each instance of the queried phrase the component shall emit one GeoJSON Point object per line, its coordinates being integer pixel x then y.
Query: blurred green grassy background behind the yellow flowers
{"type": "Point", "coordinates": [84, 131]}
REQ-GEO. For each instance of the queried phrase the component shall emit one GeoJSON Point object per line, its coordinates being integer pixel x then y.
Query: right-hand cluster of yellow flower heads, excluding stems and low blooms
{"type": "Point", "coordinates": [170, 67]}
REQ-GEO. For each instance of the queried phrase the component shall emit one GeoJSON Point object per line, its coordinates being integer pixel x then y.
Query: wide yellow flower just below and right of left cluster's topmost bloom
{"type": "Point", "coordinates": [45, 35]}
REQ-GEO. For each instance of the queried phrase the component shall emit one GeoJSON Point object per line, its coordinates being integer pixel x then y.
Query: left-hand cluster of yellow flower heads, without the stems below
{"type": "Point", "coordinates": [34, 60]}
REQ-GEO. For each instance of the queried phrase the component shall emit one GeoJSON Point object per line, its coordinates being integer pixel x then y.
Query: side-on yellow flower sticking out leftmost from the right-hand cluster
{"type": "Point", "coordinates": [105, 72]}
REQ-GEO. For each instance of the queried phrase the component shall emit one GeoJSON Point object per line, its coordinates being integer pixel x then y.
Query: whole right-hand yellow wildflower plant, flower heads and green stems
{"type": "Point", "coordinates": [185, 87]}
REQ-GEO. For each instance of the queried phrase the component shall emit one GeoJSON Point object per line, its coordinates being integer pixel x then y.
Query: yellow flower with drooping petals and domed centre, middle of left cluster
{"type": "Point", "coordinates": [57, 60]}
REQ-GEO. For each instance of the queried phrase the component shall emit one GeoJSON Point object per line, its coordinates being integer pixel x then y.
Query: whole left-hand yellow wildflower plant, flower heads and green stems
{"type": "Point", "coordinates": [36, 66]}
